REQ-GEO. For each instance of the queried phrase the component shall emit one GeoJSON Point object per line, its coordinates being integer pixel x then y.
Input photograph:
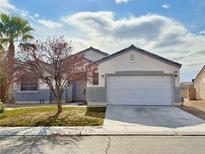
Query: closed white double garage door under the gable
{"type": "Point", "coordinates": [139, 90]}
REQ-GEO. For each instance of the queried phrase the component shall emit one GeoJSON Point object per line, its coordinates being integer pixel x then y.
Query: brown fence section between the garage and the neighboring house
{"type": "Point", "coordinates": [188, 91]}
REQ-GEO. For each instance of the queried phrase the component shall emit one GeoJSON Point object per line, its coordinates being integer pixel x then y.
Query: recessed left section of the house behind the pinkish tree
{"type": "Point", "coordinates": [33, 91]}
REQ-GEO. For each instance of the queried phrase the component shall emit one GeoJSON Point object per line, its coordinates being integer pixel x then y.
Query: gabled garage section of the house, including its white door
{"type": "Point", "coordinates": [135, 77]}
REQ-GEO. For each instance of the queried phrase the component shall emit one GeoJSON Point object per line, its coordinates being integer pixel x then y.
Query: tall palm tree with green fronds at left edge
{"type": "Point", "coordinates": [12, 29]}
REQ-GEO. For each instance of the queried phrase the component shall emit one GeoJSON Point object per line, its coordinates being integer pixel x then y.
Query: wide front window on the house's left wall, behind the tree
{"type": "Point", "coordinates": [29, 85]}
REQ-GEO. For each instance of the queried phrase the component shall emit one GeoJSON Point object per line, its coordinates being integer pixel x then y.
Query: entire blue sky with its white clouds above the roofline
{"type": "Point", "coordinates": [174, 29]}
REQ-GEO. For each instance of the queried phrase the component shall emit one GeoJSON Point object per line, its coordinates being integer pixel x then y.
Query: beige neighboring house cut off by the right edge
{"type": "Point", "coordinates": [199, 84]}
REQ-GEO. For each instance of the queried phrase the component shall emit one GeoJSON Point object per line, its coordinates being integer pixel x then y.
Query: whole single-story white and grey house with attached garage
{"type": "Point", "coordinates": [131, 76]}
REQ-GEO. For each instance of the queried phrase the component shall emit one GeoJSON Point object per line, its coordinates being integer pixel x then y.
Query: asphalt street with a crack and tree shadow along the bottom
{"type": "Point", "coordinates": [102, 145]}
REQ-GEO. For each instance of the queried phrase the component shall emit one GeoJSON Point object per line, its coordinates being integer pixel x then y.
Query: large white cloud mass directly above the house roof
{"type": "Point", "coordinates": [159, 34]}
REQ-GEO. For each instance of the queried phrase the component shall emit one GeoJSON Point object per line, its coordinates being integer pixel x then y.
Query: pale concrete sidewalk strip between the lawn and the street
{"type": "Point", "coordinates": [103, 130]}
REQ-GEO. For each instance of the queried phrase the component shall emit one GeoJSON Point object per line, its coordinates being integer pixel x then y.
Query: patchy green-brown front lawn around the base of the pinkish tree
{"type": "Point", "coordinates": [44, 116]}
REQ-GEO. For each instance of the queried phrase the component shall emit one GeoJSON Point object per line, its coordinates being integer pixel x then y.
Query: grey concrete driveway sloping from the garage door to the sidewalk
{"type": "Point", "coordinates": [160, 116]}
